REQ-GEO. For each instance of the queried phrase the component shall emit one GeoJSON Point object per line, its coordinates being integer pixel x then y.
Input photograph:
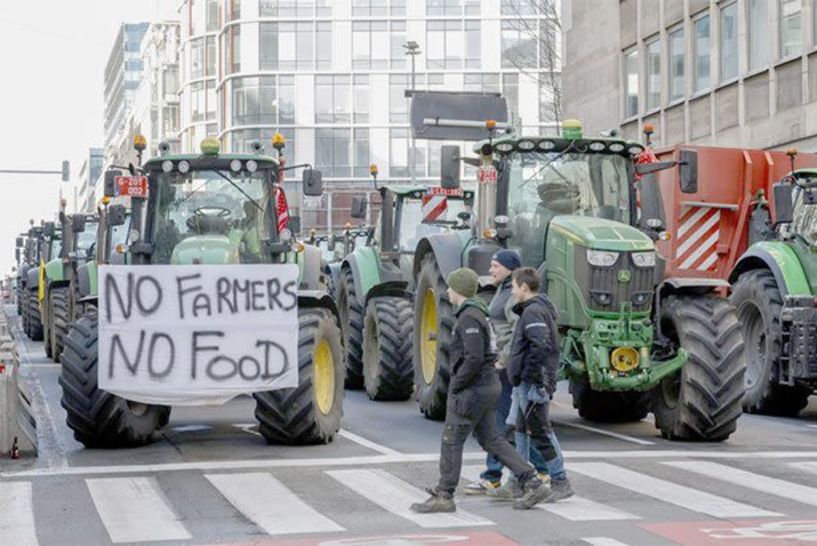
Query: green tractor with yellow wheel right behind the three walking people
{"type": "Point", "coordinates": [632, 341]}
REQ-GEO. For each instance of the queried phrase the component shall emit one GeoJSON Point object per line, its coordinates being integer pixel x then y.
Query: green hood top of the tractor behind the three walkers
{"type": "Point", "coordinates": [601, 234]}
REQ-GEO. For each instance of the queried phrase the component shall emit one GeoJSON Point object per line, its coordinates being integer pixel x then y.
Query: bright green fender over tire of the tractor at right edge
{"type": "Point", "coordinates": [778, 258]}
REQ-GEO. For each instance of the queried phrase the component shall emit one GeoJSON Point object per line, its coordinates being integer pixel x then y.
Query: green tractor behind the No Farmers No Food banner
{"type": "Point", "coordinates": [204, 211]}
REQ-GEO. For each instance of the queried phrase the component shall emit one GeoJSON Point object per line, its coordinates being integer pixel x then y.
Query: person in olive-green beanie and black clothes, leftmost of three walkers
{"type": "Point", "coordinates": [473, 393]}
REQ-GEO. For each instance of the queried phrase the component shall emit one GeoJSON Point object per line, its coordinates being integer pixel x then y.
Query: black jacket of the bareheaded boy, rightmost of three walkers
{"type": "Point", "coordinates": [535, 346]}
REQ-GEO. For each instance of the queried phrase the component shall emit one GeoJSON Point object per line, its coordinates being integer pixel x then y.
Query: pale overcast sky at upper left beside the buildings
{"type": "Point", "coordinates": [52, 66]}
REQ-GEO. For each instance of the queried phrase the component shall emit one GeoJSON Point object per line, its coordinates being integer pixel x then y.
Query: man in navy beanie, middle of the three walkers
{"type": "Point", "coordinates": [503, 263]}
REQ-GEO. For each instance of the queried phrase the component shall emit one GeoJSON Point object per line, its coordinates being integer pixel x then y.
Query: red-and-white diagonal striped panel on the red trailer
{"type": "Point", "coordinates": [697, 238]}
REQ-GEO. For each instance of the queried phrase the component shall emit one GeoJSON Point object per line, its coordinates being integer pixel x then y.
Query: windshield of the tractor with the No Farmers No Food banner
{"type": "Point", "coordinates": [212, 209]}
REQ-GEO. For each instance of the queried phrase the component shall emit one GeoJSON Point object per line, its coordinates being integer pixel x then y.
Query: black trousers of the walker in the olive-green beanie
{"type": "Point", "coordinates": [481, 420]}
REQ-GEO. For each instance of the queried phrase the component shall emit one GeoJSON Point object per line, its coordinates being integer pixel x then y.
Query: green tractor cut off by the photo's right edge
{"type": "Point", "coordinates": [775, 293]}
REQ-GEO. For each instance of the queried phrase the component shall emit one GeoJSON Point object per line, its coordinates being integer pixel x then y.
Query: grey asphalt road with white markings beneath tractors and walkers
{"type": "Point", "coordinates": [210, 479]}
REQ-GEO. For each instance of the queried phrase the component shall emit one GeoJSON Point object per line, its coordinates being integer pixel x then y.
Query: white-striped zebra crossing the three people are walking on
{"type": "Point", "coordinates": [140, 509]}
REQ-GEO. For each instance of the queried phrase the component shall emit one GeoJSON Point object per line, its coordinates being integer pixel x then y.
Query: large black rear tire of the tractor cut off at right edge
{"type": "Point", "coordinates": [758, 302]}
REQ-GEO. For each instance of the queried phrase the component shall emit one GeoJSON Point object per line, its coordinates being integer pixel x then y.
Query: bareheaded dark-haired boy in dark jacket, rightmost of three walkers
{"type": "Point", "coordinates": [534, 371]}
